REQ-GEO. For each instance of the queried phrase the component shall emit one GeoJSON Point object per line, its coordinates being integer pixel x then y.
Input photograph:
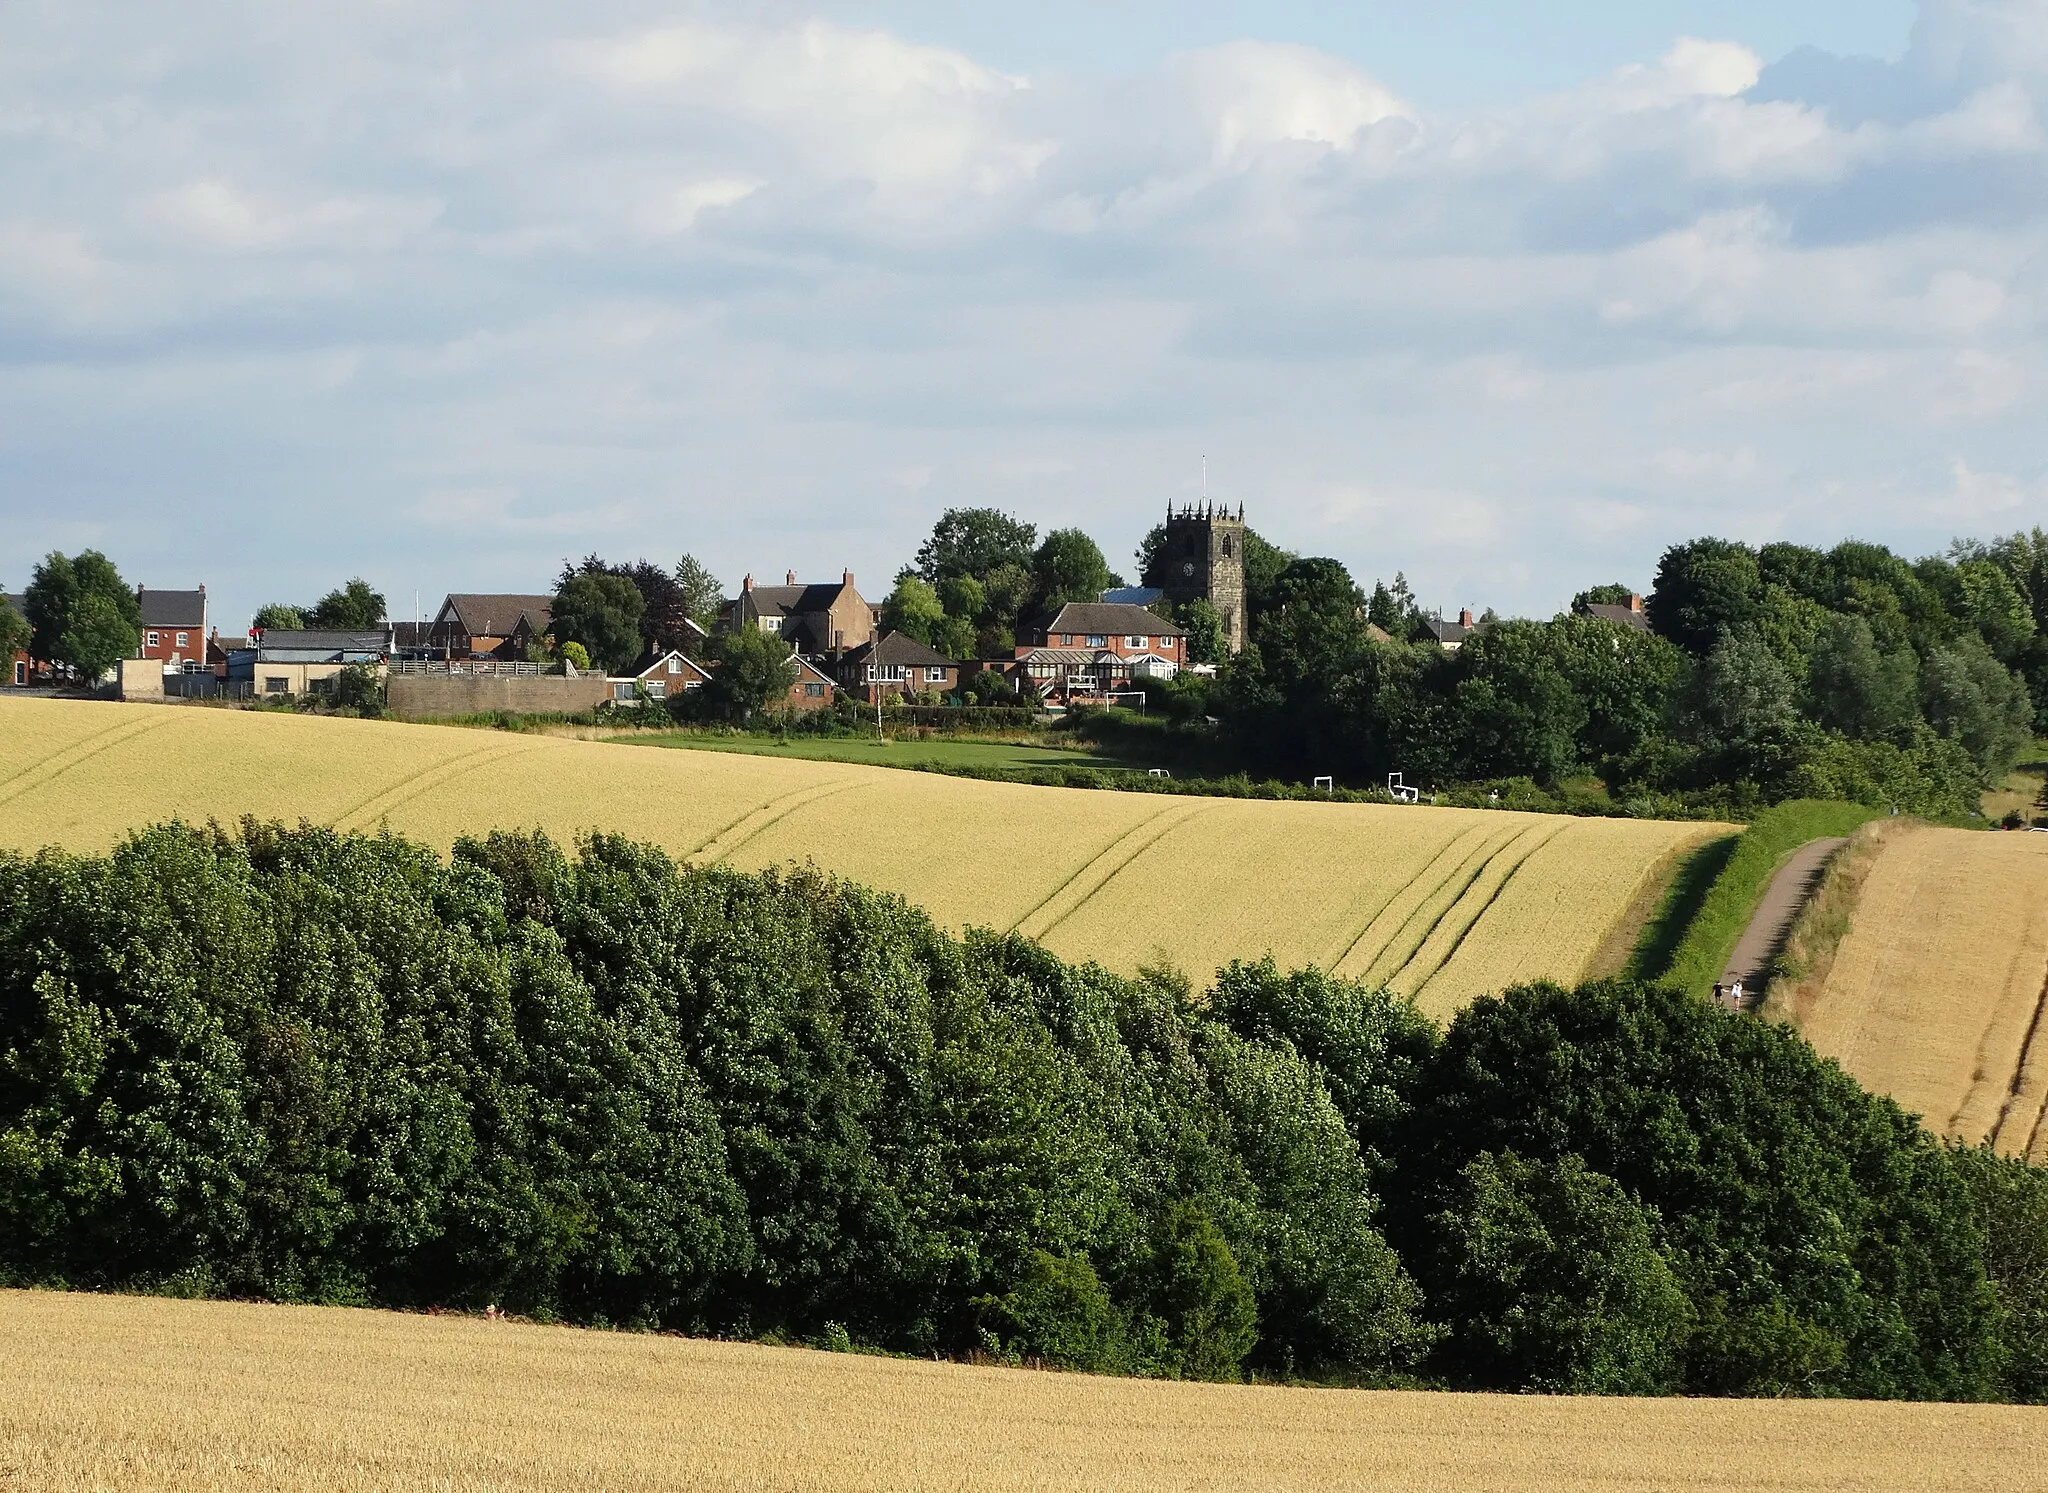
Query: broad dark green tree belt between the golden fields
{"type": "Point", "coordinates": [615, 1091]}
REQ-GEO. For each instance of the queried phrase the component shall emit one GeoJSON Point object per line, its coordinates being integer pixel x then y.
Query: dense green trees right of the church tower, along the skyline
{"type": "Point", "coordinates": [1777, 673]}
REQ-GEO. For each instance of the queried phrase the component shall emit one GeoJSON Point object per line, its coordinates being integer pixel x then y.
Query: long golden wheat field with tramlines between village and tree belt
{"type": "Point", "coordinates": [1443, 904]}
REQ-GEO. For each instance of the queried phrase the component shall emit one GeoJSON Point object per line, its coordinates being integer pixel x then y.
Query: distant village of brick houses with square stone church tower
{"type": "Point", "coordinates": [497, 650]}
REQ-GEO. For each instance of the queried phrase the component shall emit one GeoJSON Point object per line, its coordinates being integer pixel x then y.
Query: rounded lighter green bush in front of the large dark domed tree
{"type": "Point", "coordinates": [1553, 1283]}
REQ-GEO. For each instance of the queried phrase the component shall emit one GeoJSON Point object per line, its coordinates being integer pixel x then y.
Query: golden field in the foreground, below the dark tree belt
{"type": "Point", "coordinates": [173, 1396]}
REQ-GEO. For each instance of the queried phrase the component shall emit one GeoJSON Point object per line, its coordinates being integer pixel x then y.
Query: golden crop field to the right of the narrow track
{"type": "Point", "coordinates": [1936, 990]}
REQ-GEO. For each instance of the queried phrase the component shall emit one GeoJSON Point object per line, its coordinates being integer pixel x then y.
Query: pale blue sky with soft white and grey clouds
{"type": "Point", "coordinates": [1504, 298]}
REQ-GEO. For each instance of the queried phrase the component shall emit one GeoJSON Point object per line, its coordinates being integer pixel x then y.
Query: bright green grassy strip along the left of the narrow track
{"type": "Point", "coordinates": [1725, 896]}
